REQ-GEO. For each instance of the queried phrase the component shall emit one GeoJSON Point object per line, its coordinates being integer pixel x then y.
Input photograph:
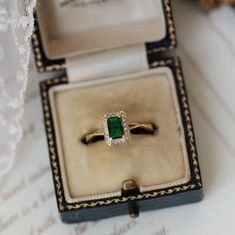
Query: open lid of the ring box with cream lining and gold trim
{"type": "Point", "coordinates": [101, 29]}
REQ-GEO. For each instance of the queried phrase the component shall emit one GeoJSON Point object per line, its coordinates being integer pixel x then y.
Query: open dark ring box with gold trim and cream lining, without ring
{"type": "Point", "coordinates": [110, 52]}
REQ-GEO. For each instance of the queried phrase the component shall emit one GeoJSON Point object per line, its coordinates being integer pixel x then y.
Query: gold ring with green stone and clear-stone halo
{"type": "Point", "coordinates": [116, 130]}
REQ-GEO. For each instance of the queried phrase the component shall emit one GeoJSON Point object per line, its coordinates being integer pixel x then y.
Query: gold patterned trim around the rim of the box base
{"type": "Point", "coordinates": [55, 166]}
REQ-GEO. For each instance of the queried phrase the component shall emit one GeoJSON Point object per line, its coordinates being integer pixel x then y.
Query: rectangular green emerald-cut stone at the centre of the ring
{"type": "Point", "coordinates": [115, 127]}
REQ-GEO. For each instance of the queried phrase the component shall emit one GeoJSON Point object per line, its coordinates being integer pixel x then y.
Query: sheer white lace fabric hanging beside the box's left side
{"type": "Point", "coordinates": [16, 25]}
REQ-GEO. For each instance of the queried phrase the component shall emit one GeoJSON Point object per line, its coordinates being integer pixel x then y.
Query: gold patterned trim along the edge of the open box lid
{"type": "Point", "coordinates": [54, 67]}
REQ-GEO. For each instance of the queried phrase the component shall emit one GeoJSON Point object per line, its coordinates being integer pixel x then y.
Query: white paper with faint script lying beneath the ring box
{"type": "Point", "coordinates": [207, 50]}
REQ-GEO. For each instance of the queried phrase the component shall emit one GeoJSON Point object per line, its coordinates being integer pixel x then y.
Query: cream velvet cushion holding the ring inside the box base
{"type": "Point", "coordinates": [97, 170]}
